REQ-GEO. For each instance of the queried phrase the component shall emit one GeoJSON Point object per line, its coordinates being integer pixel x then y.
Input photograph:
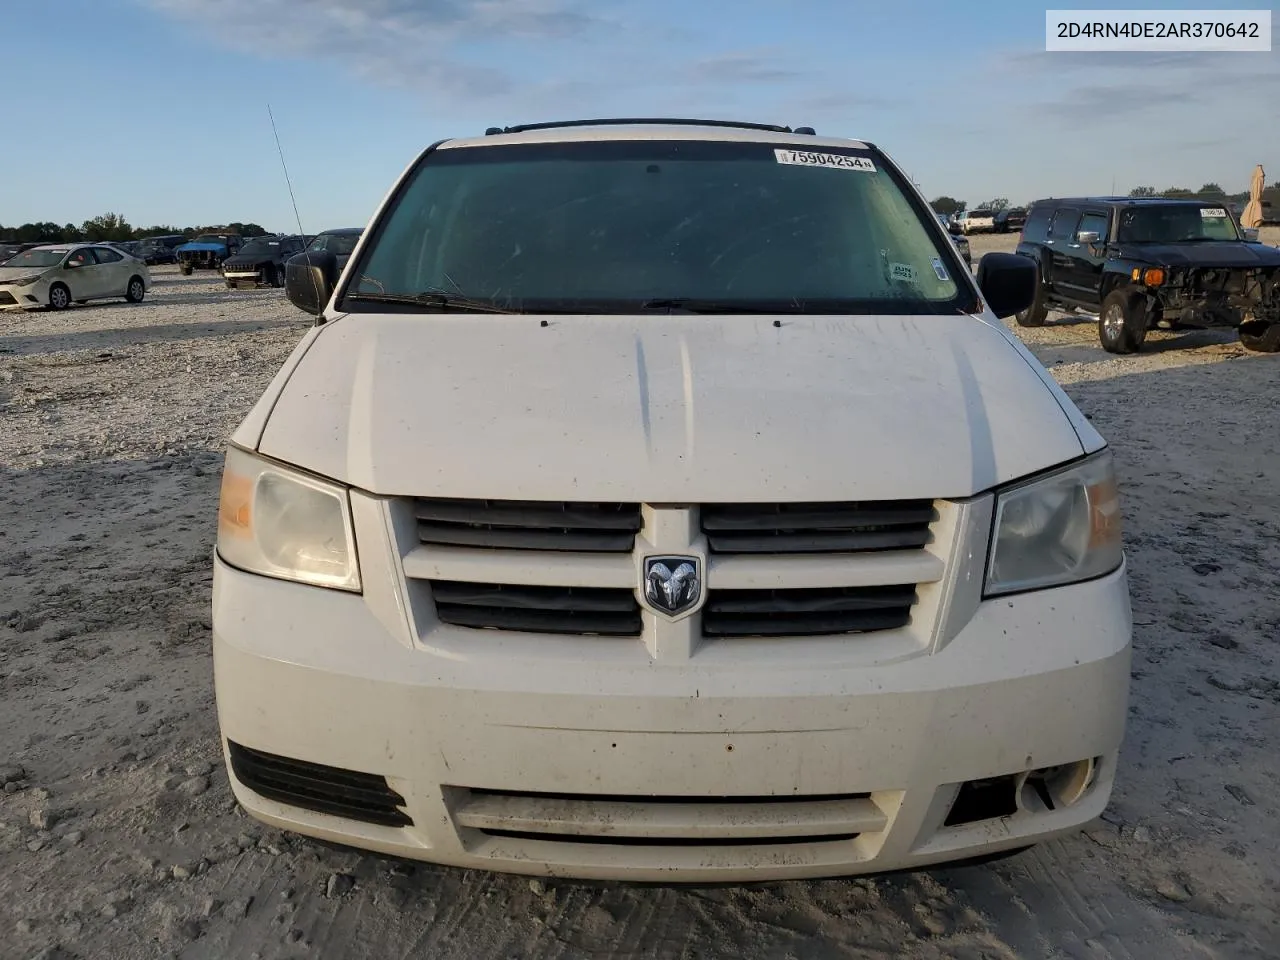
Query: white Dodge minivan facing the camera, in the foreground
{"type": "Point", "coordinates": [668, 502]}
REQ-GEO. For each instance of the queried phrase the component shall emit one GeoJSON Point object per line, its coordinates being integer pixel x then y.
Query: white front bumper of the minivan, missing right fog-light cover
{"type": "Point", "coordinates": [323, 678]}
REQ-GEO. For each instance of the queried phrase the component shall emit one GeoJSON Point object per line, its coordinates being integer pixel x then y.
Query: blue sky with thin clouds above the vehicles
{"type": "Point", "coordinates": [158, 109]}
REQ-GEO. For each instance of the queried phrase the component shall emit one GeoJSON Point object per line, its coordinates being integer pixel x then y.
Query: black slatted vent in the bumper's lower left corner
{"type": "Point", "coordinates": [314, 787]}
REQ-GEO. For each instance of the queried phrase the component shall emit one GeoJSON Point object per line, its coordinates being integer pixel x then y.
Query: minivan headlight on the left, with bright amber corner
{"type": "Point", "coordinates": [281, 523]}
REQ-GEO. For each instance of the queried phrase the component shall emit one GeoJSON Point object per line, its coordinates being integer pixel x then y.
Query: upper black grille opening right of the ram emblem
{"type": "Point", "coordinates": [817, 528]}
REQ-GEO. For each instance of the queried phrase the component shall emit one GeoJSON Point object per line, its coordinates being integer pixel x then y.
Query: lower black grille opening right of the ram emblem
{"type": "Point", "coordinates": [807, 612]}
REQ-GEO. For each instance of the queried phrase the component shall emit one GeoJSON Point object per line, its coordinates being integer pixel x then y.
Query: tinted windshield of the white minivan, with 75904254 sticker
{"type": "Point", "coordinates": [625, 226]}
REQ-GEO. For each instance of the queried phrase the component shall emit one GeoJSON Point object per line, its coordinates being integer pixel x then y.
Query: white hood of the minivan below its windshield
{"type": "Point", "coordinates": [668, 409]}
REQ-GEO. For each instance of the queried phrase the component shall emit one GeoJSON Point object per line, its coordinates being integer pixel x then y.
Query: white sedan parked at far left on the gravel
{"type": "Point", "coordinates": [61, 275]}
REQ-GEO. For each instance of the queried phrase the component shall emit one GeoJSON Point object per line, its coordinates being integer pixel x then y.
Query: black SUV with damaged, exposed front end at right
{"type": "Point", "coordinates": [1141, 263]}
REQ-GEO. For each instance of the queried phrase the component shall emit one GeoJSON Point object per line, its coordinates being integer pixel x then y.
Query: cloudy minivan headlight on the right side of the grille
{"type": "Point", "coordinates": [1057, 529]}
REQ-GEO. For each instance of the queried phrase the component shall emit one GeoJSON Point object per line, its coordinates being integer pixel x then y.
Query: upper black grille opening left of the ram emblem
{"type": "Point", "coordinates": [529, 525]}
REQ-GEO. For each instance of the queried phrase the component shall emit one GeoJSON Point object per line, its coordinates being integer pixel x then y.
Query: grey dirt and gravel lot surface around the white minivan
{"type": "Point", "coordinates": [120, 838]}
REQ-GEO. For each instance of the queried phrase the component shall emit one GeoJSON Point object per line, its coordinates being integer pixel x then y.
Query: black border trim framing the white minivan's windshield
{"type": "Point", "coordinates": [967, 300]}
